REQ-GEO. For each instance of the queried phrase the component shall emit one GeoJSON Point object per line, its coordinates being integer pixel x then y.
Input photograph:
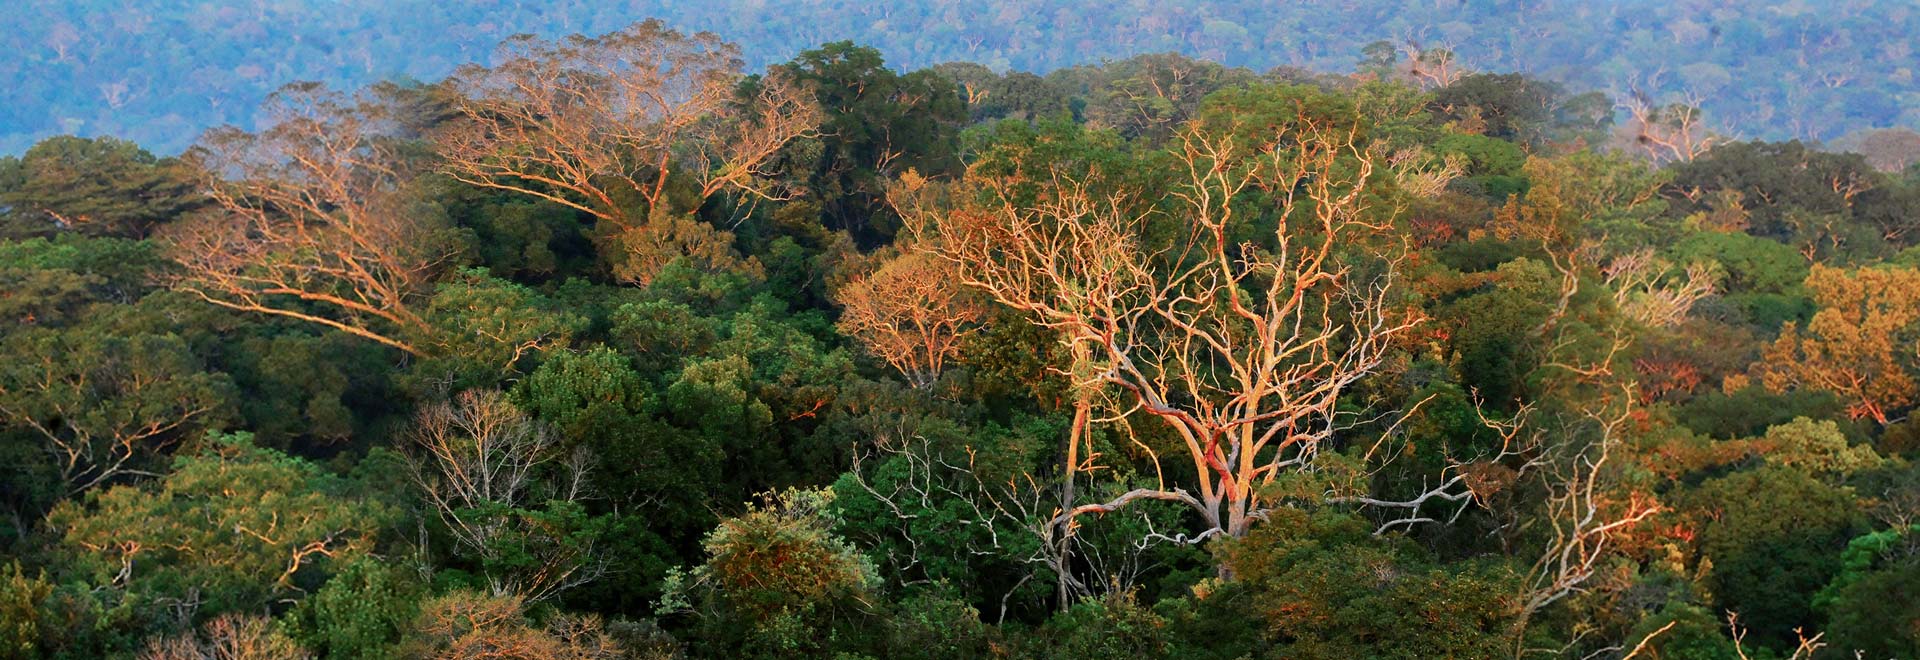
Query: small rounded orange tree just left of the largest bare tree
{"type": "Point", "coordinates": [911, 314]}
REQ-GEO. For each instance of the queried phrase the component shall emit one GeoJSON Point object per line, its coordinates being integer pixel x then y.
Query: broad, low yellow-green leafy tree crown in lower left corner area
{"type": "Point", "coordinates": [231, 529]}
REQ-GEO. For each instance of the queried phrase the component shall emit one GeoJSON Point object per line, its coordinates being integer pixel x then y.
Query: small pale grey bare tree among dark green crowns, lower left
{"type": "Point", "coordinates": [479, 461]}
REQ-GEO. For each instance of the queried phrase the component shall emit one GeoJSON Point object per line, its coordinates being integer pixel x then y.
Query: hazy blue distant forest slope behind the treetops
{"type": "Point", "coordinates": [160, 72]}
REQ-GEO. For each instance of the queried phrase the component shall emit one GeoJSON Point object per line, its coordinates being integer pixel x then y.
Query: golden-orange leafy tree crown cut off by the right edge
{"type": "Point", "coordinates": [1858, 346]}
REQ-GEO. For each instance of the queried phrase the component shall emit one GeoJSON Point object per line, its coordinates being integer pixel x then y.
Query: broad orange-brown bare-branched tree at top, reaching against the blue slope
{"type": "Point", "coordinates": [596, 122]}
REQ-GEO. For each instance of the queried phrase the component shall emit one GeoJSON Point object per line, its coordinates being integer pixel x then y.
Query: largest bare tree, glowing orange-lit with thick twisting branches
{"type": "Point", "coordinates": [1236, 316]}
